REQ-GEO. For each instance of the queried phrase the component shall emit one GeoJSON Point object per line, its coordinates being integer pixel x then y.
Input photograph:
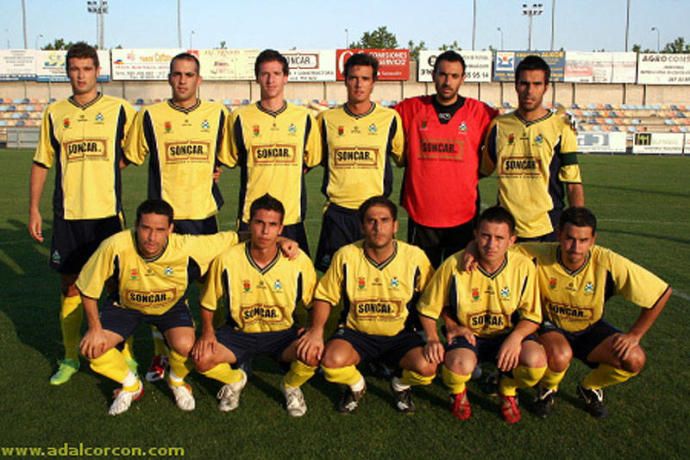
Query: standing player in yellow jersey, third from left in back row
{"type": "Point", "coordinates": [274, 143]}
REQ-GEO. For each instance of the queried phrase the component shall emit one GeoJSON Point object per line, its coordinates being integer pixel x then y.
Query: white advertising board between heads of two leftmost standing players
{"type": "Point", "coordinates": [142, 64]}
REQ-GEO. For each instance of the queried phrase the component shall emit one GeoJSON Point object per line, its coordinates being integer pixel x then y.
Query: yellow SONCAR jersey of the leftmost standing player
{"type": "Point", "coordinates": [86, 144]}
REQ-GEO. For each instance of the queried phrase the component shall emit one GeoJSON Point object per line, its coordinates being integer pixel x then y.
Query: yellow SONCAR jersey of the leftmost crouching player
{"type": "Point", "coordinates": [152, 287]}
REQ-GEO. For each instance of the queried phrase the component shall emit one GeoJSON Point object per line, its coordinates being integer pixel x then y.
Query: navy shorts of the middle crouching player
{"type": "Point", "coordinates": [388, 349]}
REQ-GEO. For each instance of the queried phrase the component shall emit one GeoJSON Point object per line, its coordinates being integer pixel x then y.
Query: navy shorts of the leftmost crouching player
{"type": "Point", "coordinates": [124, 321]}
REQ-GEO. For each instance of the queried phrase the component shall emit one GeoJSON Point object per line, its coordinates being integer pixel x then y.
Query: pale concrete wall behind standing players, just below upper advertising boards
{"type": "Point", "coordinates": [495, 92]}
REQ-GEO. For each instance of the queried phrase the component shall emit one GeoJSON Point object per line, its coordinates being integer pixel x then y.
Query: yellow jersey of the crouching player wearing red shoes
{"type": "Point", "coordinates": [486, 303]}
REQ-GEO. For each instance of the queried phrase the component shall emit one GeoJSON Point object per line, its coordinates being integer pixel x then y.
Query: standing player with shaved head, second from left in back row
{"type": "Point", "coordinates": [185, 137]}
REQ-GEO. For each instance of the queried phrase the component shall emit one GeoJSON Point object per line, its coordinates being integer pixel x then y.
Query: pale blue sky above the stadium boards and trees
{"type": "Point", "coordinates": [584, 25]}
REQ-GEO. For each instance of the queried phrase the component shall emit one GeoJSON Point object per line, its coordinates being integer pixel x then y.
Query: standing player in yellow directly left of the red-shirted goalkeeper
{"type": "Point", "coordinates": [358, 138]}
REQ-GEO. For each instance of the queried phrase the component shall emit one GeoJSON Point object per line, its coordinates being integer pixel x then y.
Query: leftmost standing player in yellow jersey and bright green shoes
{"type": "Point", "coordinates": [83, 136]}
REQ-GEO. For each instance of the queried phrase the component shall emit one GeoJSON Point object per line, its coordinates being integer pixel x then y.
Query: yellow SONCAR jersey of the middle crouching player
{"type": "Point", "coordinates": [376, 298]}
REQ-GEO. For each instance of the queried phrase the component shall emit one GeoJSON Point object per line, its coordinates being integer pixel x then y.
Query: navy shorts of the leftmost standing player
{"type": "Point", "coordinates": [74, 241]}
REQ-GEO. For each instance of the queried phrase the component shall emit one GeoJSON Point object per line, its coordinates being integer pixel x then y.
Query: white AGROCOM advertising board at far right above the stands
{"type": "Point", "coordinates": [663, 69]}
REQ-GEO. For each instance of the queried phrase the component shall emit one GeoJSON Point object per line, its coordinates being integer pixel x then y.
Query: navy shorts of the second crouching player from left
{"type": "Point", "coordinates": [247, 345]}
